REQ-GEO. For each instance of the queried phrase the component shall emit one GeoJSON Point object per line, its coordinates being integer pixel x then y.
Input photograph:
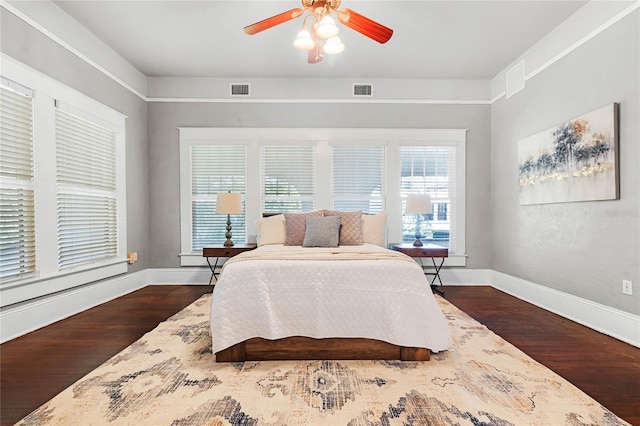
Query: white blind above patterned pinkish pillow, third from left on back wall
{"type": "Point", "coordinates": [357, 178]}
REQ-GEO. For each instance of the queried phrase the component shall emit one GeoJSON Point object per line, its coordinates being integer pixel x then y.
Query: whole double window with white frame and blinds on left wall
{"type": "Point", "coordinates": [62, 181]}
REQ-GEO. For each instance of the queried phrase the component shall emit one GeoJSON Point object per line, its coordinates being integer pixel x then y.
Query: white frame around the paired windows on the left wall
{"type": "Point", "coordinates": [49, 278]}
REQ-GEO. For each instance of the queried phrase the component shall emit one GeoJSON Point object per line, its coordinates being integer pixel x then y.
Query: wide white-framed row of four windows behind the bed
{"type": "Point", "coordinates": [291, 170]}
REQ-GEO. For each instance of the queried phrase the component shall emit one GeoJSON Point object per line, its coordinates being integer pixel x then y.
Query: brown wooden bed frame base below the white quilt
{"type": "Point", "coordinates": [307, 348]}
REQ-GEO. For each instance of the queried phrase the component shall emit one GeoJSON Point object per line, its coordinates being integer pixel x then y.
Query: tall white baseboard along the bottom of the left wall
{"type": "Point", "coordinates": [22, 318]}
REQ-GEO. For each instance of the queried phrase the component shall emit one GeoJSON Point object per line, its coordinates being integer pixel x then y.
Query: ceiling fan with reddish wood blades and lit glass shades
{"type": "Point", "coordinates": [323, 34]}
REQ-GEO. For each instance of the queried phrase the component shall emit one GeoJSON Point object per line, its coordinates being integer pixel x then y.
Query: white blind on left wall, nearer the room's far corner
{"type": "Point", "coordinates": [86, 190]}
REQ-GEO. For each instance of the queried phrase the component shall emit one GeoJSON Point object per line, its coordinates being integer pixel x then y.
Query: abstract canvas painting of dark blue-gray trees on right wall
{"type": "Point", "coordinates": [574, 161]}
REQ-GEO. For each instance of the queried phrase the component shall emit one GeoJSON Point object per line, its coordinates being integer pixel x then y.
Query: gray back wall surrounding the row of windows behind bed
{"type": "Point", "coordinates": [164, 118]}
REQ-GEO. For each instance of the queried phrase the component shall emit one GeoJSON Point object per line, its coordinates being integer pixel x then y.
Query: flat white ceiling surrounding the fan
{"type": "Point", "coordinates": [431, 40]}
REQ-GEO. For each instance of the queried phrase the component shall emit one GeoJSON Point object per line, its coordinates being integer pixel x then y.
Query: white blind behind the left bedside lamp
{"type": "Point", "coordinates": [215, 169]}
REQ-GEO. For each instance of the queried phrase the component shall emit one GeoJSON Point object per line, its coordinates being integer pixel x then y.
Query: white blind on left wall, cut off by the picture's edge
{"type": "Point", "coordinates": [17, 220]}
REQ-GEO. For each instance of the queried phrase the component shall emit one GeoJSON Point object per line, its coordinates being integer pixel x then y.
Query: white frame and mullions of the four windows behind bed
{"type": "Point", "coordinates": [323, 139]}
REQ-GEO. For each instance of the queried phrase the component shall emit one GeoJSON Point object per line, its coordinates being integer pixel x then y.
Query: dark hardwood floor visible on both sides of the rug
{"type": "Point", "coordinates": [37, 366]}
